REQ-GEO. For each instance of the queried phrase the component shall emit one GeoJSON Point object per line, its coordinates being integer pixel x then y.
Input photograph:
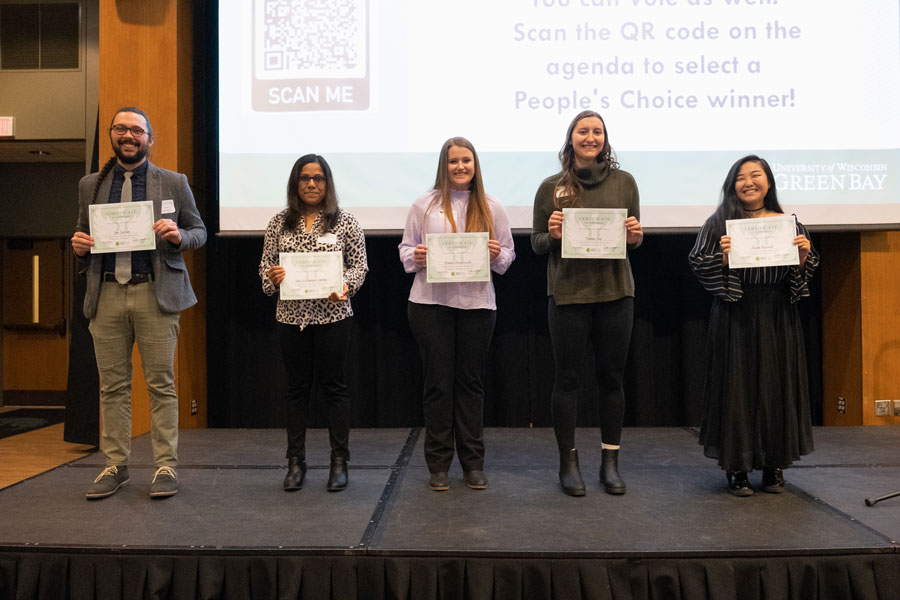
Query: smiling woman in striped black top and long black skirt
{"type": "Point", "coordinates": [756, 397]}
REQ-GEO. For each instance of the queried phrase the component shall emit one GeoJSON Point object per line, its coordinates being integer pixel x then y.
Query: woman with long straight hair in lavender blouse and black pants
{"type": "Point", "coordinates": [453, 322]}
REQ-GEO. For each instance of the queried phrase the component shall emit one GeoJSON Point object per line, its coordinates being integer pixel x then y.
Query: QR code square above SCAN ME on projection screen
{"type": "Point", "coordinates": [310, 38]}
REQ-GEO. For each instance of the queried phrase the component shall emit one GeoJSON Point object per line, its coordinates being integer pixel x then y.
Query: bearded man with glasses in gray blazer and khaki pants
{"type": "Point", "coordinates": [138, 297]}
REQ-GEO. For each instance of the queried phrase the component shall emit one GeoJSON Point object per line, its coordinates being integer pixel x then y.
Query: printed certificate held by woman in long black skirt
{"type": "Point", "coordinates": [762, 242]}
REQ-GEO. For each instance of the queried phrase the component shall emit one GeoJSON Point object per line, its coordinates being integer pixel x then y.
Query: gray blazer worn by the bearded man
{"type": "Point", "coordinates": [173, 286]}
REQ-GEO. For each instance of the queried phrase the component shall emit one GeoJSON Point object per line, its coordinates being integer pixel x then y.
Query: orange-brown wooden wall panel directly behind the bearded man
{"type": "Point", "coordinates": [146, 60]}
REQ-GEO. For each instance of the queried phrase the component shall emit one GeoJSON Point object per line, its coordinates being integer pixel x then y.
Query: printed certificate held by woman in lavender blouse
{"type": "Point", "coordinates": [454, 257]}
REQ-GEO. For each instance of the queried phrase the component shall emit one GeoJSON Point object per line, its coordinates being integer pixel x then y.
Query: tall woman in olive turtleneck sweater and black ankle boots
{"type": "Point", "coordinates": [590, 299]}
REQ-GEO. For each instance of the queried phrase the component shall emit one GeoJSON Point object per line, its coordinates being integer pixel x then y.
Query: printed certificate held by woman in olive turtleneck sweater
{"type": "Point", "coordinates": [594, 233]}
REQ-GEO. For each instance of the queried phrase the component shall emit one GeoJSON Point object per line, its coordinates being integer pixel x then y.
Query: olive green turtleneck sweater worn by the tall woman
{"type": "Point", "coordinates": [580, 280]}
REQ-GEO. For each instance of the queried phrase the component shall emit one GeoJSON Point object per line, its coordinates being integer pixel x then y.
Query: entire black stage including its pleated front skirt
{"type": "Point", "coordinates": [232, 532]}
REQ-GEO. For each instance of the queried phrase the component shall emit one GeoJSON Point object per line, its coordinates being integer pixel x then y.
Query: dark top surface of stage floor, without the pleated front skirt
{"type": "Point", "coordinates": [676, 505]}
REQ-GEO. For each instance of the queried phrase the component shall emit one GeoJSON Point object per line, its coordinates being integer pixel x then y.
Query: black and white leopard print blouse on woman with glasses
{"type": "Point", "coordinates": [348, 239]}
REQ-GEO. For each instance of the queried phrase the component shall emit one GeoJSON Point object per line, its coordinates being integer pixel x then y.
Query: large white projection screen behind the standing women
{"type": "Point", "coordinates": [686, 87]}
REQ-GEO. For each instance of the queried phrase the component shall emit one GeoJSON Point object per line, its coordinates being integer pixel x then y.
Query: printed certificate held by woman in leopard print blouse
{"type": "Point", "coordinates": [310, 275]}
